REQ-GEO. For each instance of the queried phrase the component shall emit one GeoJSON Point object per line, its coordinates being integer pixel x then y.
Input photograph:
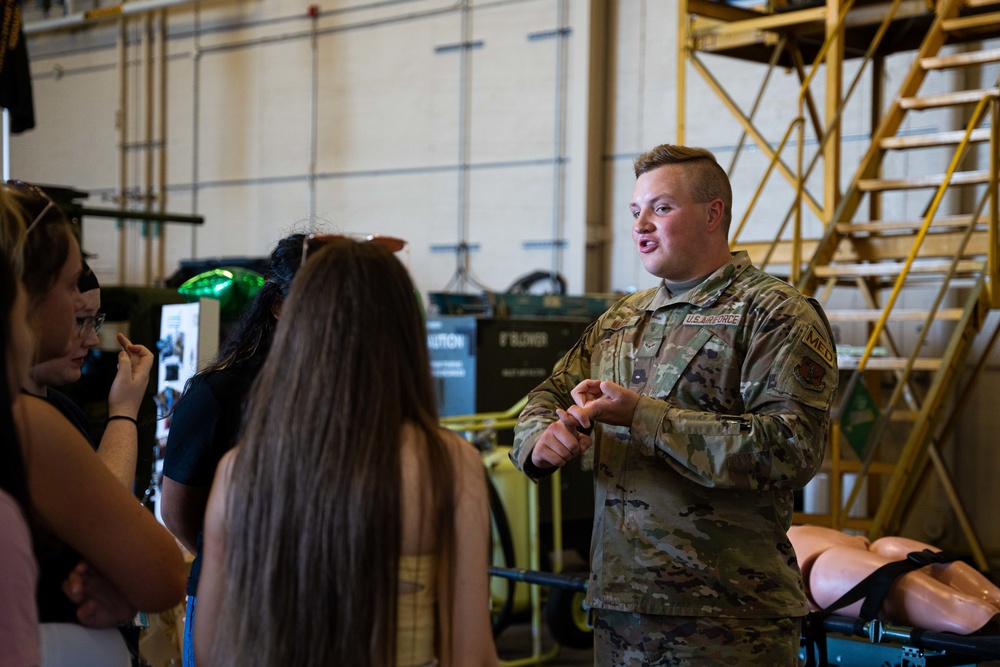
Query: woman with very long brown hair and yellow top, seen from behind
{"type": "Point", "coordinates": [348, 528]}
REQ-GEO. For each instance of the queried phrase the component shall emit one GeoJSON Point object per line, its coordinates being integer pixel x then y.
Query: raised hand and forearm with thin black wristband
{"type": "Point", "coordinates": [119, 445]}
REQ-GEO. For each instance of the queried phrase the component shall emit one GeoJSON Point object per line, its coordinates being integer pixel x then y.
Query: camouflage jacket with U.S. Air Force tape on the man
{"type": "Point", "coordinates": [693, 500]}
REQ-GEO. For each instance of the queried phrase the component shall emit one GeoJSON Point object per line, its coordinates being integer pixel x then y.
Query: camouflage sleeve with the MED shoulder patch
{"type": "Point", "coordinates": [788, 382]}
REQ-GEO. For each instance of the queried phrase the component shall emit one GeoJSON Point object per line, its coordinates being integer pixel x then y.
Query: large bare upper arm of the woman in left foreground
{"type": "Point", "coordinates": [82, 504]}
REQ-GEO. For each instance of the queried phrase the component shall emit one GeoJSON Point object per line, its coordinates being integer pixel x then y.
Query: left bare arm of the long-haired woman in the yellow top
{"type": "Point", "coordinates": [211, 583]}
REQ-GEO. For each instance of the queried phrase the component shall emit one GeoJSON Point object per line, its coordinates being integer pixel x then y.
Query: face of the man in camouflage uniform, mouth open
{"type": "Point", "coordinates": [671, 230]}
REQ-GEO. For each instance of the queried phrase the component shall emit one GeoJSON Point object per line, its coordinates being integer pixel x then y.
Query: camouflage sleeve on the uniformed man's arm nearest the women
{"type": "Point", "coordinates": [540, 410]}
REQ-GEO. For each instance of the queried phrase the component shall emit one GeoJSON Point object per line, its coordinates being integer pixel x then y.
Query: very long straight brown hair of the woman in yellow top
{"type": "Point", "coordinates": [313, 516]}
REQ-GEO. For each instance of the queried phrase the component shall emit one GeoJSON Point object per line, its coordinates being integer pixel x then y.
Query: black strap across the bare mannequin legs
{"type": "Point", "coordinates": [873, 589]}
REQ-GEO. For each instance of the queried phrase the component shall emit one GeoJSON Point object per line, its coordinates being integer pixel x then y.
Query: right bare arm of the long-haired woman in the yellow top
{"type": "Point", "coordinates": [470, 631]}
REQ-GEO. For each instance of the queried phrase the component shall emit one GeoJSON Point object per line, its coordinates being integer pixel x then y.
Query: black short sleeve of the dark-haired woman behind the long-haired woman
{"type": "Point", "coordinates": [191, 457]}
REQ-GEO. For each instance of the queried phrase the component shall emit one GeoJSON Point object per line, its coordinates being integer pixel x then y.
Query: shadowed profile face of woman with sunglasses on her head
{"type": "Point", "coordinates": [55, 316]}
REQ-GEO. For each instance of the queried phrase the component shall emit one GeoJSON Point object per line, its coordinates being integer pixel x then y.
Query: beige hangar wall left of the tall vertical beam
{"type": "Point", "coordinates": [413, 135]}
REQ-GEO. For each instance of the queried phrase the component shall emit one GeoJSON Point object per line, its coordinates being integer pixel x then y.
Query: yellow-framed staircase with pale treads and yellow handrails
{"type": "Point", "coordinates": [946, 259]}
